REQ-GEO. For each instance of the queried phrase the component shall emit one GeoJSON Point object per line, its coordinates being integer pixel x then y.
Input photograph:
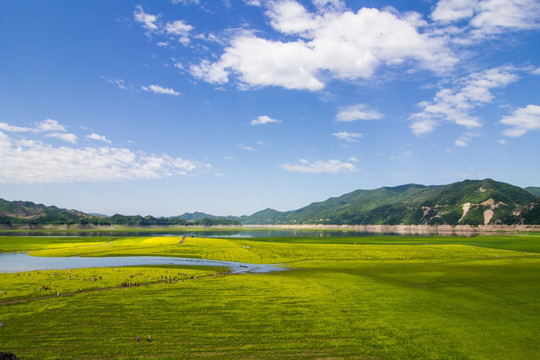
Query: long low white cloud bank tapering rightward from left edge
{"type": "Point", "coordinates": [30, 161]}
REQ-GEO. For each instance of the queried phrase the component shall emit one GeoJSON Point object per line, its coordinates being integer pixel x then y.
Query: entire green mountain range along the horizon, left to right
{"type": "Point", "coordinates": [469, 202]}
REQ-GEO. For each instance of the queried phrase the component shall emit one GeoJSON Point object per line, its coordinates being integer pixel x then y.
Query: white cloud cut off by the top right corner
{"type": "Point", "coordinates": [487, 17]}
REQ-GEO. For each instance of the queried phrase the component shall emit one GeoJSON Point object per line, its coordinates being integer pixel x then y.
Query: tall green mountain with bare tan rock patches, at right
{"type": "Point", "coordinates": [470, 202]}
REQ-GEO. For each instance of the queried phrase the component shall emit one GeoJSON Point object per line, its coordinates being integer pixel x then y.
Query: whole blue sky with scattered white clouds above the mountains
{"type": "Point", "coordinates": [233, 106]}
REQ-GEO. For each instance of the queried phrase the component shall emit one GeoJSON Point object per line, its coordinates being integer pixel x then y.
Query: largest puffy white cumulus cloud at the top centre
{"type": "Point", "coordinates": [324, 45]}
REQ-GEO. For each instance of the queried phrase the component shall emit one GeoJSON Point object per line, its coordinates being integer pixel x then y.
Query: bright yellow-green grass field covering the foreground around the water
{"type": "Point", "coordinates": [383, 298]}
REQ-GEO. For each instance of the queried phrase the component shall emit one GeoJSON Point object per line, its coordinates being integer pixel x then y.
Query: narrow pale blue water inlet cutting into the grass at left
{"type": "Point", "coordinates": [21, 262]}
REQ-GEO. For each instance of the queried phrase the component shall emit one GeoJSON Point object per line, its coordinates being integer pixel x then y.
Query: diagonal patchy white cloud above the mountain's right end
{"type": "Point", "coordinates": [456, 104]}
